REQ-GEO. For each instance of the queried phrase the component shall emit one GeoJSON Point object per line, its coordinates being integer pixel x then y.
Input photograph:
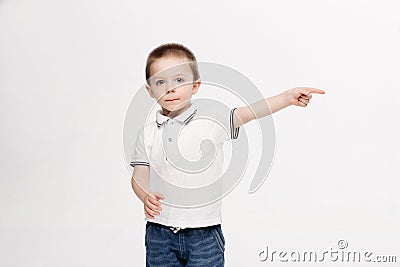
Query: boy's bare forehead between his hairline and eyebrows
{"type": "Point", "coordinates": [171, 66]}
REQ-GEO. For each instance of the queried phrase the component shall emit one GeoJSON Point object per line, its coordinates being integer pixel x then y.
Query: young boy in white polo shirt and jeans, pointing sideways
{"type": "Point", "coordinates": [180, 236]}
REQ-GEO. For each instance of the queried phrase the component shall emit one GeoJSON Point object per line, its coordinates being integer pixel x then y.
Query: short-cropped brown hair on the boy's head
{"type": "Point", "coordinates": [172, 49]}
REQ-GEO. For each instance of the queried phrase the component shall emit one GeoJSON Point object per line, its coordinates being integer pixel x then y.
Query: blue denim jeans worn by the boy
{"type": "Point", "coordinates": [190, 247]}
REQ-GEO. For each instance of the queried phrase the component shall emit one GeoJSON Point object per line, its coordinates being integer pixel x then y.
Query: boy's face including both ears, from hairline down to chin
{"type": "Point", "coordinates": [171, 83]}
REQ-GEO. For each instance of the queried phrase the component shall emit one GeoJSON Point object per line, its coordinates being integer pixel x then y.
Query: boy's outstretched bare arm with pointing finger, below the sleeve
{"type": "Point", "coordinates": [299, 96]}
